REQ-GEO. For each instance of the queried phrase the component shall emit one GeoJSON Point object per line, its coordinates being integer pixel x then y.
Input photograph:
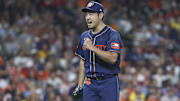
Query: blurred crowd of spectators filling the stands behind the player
{"type": "Point", "coordinates": [38, 39]}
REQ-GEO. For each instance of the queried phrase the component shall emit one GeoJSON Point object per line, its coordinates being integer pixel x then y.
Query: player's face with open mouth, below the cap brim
{"type": "Point", "coordinates": [92, 19]}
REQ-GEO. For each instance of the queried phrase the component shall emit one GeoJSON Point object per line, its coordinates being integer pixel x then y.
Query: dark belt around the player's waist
{"type": "Point", "coordinates": [101, 76]}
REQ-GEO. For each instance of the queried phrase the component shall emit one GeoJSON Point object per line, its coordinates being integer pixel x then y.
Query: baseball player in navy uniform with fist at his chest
{"type": "Point", "coordinates": [99, 50]}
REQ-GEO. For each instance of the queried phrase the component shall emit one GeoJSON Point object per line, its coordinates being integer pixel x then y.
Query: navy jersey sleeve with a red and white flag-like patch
{"type": "Point", "coordinates": [114, 43]}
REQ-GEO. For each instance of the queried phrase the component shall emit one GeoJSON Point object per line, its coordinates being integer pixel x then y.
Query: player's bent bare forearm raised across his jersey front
{"type": "Point", "coordinates": [105, 55]}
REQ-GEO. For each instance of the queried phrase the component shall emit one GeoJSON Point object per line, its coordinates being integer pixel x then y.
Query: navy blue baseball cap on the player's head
{"type": "Point", "coordinates": [94, 6]}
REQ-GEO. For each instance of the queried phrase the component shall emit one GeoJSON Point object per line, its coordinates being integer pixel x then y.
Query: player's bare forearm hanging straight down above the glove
{"type": "Point", "coordinates": [81, 73]}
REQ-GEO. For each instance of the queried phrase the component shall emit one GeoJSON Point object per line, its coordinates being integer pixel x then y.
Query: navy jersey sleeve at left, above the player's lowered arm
{"type": "Point", "coordinates": [79, 50]}
